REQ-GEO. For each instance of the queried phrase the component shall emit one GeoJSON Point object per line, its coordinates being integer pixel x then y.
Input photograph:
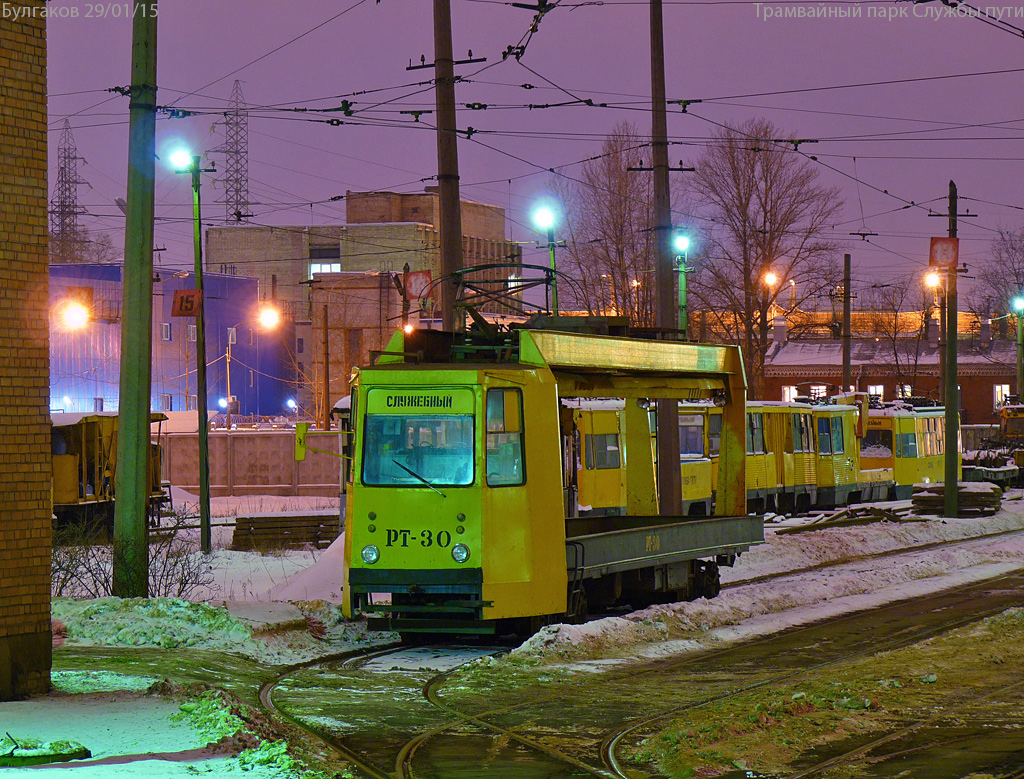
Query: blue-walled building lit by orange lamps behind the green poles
{"type": "Point", "coordinates": [86, 360]}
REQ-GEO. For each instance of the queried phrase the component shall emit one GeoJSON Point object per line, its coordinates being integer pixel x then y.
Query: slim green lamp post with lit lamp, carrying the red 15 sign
{"type": "Point", "coordinates": [185, 162]}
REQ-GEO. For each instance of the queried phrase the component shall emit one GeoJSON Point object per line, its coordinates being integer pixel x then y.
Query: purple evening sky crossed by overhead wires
{"type": "Point", "coordinates": [908, 139]}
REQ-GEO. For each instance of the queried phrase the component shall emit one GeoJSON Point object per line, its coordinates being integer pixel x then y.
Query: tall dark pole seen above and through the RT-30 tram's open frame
{"type": "Point", "coordinates": [669, 489]}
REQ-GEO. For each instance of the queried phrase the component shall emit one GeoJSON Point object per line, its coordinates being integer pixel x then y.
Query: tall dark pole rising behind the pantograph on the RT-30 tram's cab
{"type": "Point", "coordinates": [448, 162]}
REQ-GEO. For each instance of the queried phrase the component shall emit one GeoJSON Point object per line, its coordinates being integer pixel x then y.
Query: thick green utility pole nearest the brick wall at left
{"type": "Point", "coordinates": [132, 486]}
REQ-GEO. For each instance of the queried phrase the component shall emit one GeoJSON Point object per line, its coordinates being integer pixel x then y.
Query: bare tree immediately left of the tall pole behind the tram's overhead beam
{"type": "Point", "coordinates": [610, 241]}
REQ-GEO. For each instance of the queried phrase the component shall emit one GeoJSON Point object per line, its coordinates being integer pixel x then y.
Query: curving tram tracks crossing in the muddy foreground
{"type": "Point", "coordinates": [524, 727]}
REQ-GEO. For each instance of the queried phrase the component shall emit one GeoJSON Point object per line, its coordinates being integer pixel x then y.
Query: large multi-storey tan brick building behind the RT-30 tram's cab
{"type": "Point", "coordinates": [304, 269]}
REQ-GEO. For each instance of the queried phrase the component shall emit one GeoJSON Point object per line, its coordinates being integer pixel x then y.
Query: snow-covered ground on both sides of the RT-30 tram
{"type": "Point", "coordinates": [278, 610]}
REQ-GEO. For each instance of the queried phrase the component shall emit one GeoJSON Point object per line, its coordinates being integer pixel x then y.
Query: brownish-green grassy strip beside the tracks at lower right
{"type": "Point", "coordinates": [766, 729]}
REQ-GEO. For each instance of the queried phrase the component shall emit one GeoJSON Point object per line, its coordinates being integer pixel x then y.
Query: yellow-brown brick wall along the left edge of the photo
{"type": "Point", "coordinates": [25, 458]}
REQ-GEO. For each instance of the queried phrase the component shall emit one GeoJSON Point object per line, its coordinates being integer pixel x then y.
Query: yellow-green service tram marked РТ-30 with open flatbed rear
{"type": "Point", "coordinates": [462, 502]}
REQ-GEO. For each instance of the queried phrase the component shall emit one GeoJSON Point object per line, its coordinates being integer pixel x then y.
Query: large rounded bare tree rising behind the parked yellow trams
{"type": "Point", "coordinates": [766, 211]}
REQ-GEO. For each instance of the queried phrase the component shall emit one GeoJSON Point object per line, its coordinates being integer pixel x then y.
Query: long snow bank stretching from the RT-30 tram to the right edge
{"type": "Point", "coordinates": [760, 609]}
